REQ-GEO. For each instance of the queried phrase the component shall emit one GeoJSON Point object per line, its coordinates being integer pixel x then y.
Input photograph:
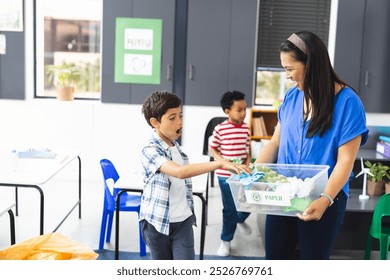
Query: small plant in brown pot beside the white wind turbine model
{"type": "Point", "coordinates": [375, 183]}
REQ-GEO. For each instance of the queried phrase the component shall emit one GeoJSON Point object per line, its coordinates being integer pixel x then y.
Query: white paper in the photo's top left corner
{"type": "Point", "coordinates": [11, 15]}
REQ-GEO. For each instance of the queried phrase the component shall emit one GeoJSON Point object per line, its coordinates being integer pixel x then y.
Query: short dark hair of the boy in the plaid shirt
{"type": "Point", "coordinates": [158, 103]}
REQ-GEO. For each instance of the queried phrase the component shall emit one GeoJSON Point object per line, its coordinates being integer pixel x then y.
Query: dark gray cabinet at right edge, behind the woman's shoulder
{"type": "Point", "coordinates": [361, 54]}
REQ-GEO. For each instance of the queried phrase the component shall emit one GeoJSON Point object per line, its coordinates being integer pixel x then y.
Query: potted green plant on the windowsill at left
{"type": "Point", "coordinates": [64, 77]}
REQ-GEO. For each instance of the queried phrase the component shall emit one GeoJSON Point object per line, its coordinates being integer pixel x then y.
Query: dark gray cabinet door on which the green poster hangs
{"type": "Point", "coordinates": [136, 93]}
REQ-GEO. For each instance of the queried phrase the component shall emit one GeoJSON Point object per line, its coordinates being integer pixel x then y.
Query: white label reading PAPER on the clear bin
{"type": "Point", "coordinates": [268, 198]}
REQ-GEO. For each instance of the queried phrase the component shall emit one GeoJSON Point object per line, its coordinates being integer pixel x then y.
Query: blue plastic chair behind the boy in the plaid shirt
{"type": "Point", "coordinates": [128, 202]}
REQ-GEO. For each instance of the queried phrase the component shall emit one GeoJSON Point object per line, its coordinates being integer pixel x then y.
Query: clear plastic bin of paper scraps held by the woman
{"type": "Point", "coordinates": [285, 189]}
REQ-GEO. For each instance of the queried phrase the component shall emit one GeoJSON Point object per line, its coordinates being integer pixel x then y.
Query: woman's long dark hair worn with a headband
{"type": "Point", "coordinates": [319, 81]}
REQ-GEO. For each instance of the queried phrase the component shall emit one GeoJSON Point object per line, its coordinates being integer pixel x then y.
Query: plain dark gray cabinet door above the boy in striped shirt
{"type": "Point", "coordinates": [221, 42]}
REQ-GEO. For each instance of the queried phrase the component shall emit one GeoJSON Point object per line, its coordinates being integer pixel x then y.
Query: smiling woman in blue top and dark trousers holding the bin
{"type": "Point", "coordinates": [321, 121]}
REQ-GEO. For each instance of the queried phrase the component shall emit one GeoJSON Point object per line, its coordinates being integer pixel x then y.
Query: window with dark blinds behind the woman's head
{"type": "Point", "coordinates": [278, 19]}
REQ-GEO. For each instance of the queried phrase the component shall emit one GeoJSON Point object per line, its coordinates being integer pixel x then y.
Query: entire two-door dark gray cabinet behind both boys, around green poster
{"type": "Point", "coordinates": [208, 48]}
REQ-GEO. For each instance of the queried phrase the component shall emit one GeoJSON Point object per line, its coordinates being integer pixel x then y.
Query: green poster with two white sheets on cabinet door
{"type": "Point", "coordinates": [138, 50]}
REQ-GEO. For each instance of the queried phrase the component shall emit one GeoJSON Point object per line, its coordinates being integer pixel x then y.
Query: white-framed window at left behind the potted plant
{"type": "Point", "coordinates": [68, 31]}
